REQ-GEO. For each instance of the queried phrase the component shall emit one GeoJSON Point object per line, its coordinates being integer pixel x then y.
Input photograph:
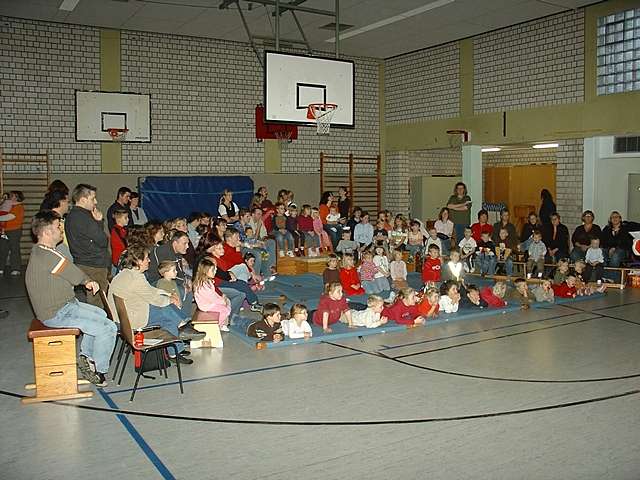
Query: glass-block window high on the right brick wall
{"type": "Point", "coordinates": [618, 62]}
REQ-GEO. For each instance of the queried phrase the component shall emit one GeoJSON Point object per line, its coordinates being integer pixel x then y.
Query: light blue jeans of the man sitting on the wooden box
{"type": "Point", "coordinates": [98, 332]}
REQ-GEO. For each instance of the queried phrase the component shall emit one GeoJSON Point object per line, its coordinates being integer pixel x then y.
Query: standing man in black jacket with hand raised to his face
{"type": "Point", "coordinates": [88, 242]}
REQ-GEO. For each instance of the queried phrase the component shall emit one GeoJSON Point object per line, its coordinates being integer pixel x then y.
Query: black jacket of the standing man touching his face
{"type": "Point", "coordinates": [88, 242]}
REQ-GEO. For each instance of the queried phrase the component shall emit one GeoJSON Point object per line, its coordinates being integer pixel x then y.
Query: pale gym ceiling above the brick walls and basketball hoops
{"type": "Point", "coordinates": [203, 18]}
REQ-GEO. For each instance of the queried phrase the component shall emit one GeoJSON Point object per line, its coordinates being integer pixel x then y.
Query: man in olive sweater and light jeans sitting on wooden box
{"type": "Point", "coordinates": [50, 279]}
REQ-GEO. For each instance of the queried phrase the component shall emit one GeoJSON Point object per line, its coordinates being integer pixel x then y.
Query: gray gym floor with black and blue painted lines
{"type": "Point", "coordinates": [547, 393]}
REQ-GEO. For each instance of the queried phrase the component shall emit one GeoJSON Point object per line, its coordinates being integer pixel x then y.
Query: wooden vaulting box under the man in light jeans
{"type": "Point", "coordinates": [54, 361]}
